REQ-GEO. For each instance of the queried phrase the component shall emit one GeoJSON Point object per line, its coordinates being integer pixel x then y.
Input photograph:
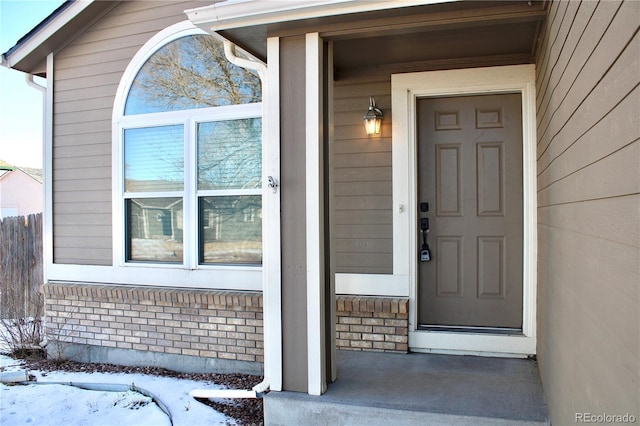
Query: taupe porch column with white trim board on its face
{"type": "Point", "coordinates": [302, 204]}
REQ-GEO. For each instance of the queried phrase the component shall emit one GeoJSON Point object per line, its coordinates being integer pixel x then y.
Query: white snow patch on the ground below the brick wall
{"type": "Point", "coordinates": [54, 405]}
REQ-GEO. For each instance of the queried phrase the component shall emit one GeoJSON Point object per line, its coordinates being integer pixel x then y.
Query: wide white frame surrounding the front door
{"type": "Point", "coordinates": [405, 89]}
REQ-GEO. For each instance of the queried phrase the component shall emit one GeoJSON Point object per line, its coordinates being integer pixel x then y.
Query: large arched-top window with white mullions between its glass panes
{"type": "Point", "coordinates": [191, 166]}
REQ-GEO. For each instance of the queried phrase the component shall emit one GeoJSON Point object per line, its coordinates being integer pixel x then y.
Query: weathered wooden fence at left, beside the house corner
{"type": "Point", "coordinates": [21, 273]}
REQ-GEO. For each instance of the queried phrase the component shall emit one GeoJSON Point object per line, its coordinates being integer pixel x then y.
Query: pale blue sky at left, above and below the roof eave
{"type": "Point", "coordinates": [21, 106]}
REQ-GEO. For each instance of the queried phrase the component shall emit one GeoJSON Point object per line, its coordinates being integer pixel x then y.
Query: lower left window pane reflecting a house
{"type": "Point", "coordinates": [154, 229]}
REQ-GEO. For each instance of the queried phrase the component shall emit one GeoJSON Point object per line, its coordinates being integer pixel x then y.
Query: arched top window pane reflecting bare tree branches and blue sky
{"type": "Point", "coordinates": [188, 73]}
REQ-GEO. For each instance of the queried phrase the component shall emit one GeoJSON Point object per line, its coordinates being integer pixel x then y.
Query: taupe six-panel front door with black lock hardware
{"type": "Point", "coordinates": [470, 174]}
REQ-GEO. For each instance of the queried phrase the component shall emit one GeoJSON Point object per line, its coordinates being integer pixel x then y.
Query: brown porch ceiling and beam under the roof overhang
{"type": "Point", "coordinates": [439, 36]}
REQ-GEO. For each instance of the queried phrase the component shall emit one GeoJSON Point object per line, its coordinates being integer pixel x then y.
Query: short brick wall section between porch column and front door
{"type": "Point", "coordinates": [372, 324]}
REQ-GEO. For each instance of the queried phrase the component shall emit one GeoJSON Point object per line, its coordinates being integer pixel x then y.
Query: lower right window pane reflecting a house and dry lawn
{"type": "Point", "coordinates": [226, 236]}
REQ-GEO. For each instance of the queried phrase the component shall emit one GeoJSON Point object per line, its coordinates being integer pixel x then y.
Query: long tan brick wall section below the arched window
{"type": "Point", "coordinates": [202, 323]}
